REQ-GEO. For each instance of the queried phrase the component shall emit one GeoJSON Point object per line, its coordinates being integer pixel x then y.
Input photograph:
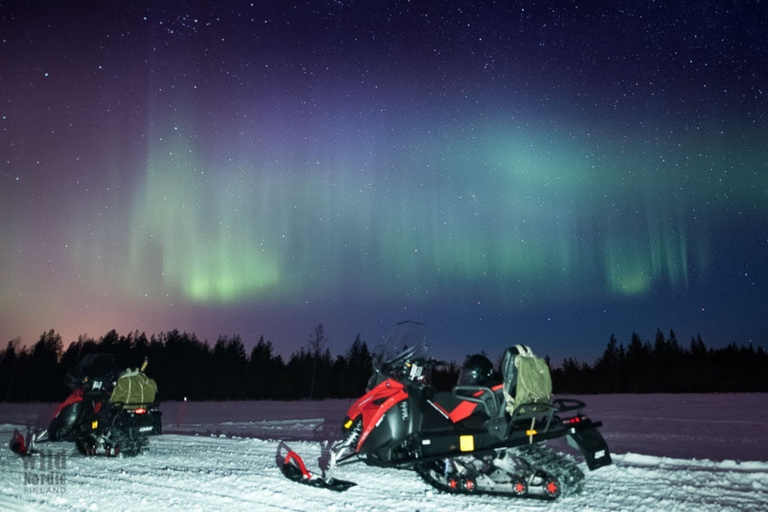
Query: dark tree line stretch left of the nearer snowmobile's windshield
{"type": "Point", "coordinates": [186, 368]}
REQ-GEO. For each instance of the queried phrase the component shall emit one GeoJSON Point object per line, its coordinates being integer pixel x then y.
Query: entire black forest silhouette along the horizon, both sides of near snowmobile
{"type": "Point", "coordinates": [185, 367]}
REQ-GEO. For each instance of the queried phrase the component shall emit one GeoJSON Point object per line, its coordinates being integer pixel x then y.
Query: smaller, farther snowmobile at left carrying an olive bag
{"type": "Point", "coordinates": [106, 413]}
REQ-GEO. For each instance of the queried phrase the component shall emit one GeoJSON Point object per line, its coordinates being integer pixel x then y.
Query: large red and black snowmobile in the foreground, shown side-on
{"type": "Point", "coordinates": [474, 438]}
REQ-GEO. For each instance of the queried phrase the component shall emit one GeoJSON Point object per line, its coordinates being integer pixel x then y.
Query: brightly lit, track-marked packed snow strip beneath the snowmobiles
{"type": "Point", "coordinates": [217, 473]}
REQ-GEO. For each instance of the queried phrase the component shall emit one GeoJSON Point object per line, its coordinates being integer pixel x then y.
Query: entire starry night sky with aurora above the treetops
{"type": "Point", "coordinates": [505, 172]}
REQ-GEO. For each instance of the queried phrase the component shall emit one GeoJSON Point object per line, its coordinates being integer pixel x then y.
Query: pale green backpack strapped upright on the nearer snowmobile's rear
{"type": "Point", "coordinates": [526, 378]}
